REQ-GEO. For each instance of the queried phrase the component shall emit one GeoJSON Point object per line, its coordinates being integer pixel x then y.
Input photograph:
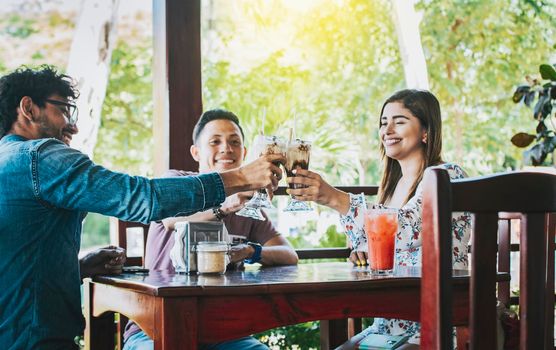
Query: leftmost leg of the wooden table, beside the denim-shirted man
{"type": "Point", "coordinates": [99, 331]}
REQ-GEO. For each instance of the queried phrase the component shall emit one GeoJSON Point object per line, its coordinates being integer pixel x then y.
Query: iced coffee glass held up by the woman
{"type": "Point", "coordinates": [297, 157]}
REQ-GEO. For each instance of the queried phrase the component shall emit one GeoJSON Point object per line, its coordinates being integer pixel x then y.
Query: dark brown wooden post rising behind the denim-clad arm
{"type": "Point", "coordinates": [177, 81]}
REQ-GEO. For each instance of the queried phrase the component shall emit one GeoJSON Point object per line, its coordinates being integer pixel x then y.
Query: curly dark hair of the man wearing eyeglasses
{"type": "Point", "coordinates": [39, 84]}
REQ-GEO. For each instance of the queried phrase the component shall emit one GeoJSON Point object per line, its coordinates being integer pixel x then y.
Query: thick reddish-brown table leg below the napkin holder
{"type": "Point", "coordinates": [176, 330]}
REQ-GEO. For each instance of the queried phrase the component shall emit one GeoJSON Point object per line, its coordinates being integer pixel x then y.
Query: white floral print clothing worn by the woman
{"type": "Point", "coordinates": [408, 244]}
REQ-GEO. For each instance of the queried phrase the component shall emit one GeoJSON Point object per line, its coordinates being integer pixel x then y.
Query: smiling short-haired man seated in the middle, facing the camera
{"type": "Point", "coordinates": [217, 146]}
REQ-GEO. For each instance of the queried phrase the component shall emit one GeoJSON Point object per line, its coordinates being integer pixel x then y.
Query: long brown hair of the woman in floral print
{"type": "Point", "coordinates": [425, 107]}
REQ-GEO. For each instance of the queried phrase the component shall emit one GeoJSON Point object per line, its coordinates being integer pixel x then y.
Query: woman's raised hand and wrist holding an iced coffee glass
{"type": "Point", "coordinates": [317, 190]}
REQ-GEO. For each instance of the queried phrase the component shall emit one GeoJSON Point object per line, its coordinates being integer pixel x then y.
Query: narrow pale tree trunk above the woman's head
{"type": "Point", "coordinates": [407, 21]}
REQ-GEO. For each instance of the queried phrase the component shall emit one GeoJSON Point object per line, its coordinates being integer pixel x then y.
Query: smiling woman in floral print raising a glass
{"type": "Point", "coordinates": [410, 135]}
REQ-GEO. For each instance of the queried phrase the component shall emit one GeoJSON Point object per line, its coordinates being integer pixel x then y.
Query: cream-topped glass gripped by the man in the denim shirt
{"type": "Point", "coordinates": [263, 145]}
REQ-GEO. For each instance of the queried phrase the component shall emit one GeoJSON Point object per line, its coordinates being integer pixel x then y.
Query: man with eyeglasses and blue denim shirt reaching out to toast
{"type": "Point", "coordinates": [47, 188]}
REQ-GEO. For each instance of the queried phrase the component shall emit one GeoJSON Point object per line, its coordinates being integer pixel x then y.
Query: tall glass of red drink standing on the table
{"type": "Point", "coordinates": [381, 226]}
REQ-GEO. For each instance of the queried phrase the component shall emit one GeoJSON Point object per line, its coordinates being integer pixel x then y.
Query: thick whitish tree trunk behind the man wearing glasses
{"type": "Point", "coordinates": [89, 65]}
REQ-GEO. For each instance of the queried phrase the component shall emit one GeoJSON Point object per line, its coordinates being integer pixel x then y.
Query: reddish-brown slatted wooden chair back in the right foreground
{"type": "Point", "coordinates": [533, 196]}
